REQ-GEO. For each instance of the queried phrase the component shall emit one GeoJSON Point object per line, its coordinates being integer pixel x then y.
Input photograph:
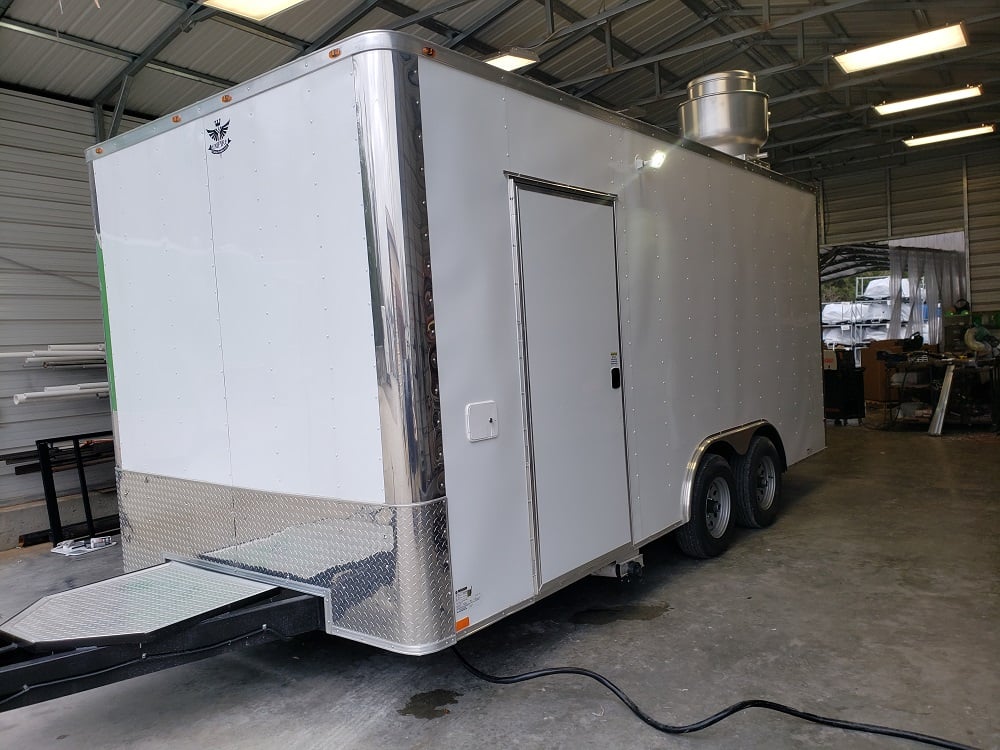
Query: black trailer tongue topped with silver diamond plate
{"type": "Point", "coordinates": [138, 623]}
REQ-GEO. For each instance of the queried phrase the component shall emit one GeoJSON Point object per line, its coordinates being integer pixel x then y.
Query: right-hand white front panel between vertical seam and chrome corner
{"type": "Point", "coordinates": [294, 295]}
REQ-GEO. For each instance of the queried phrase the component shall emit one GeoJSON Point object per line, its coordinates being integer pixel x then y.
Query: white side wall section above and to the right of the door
{"type": "Point", "coordinates": [716, 264]}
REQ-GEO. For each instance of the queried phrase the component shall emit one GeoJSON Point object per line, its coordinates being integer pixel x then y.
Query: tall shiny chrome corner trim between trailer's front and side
{"type": "Point", "coordinates": [392, 169]}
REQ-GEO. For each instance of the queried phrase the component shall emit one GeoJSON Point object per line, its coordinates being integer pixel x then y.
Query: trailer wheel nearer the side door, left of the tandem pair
{"type": "Point", "coordinates": [709, 531]}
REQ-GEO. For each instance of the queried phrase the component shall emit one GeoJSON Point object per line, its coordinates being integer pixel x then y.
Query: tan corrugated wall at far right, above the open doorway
{"type": "Point", "coordinates": [924, 198]}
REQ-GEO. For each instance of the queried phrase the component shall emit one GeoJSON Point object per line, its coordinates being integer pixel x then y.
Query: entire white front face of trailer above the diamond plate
{"type": "Point", "coordinates": [239, 299]}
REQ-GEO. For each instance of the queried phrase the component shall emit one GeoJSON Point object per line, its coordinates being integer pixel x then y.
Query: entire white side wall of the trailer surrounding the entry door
{"type": "Point", "coordinates": [718, 280]}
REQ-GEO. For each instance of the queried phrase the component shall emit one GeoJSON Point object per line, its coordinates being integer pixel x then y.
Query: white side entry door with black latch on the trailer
{"type": "Point", "coordinates": [565, 243]}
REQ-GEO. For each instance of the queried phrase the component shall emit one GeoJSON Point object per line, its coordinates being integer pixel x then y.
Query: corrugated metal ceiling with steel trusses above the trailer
{"type": "Point", "coordinates": [77, 50]}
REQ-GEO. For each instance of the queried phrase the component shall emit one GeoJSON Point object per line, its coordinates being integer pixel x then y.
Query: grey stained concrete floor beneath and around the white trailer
{"type": "Point", "coordinates": [873, 598]}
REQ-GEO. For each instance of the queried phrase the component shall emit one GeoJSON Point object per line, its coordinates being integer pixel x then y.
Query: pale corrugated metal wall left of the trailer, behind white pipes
{"type": "Point", "coordinates": [48, 295]}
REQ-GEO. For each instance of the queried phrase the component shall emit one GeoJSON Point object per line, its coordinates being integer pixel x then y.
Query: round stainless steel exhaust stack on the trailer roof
{"type": "Point", "coordinates": [727, 112]}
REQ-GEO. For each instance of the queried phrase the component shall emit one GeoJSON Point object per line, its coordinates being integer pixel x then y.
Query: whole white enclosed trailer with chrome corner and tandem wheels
{"type": "Point", "coordinates": [430, 341]}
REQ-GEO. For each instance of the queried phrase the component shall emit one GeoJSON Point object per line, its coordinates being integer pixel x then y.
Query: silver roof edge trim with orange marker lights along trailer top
{"type": "Point", "coordinates": [370, 41]}
